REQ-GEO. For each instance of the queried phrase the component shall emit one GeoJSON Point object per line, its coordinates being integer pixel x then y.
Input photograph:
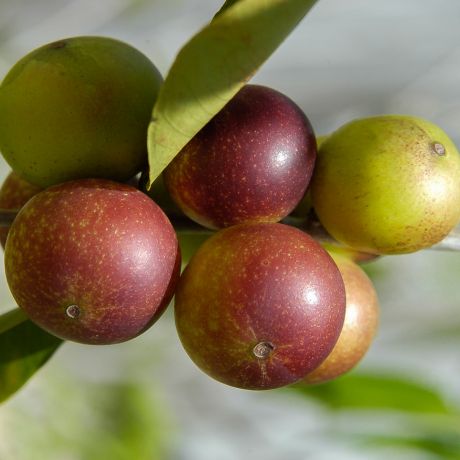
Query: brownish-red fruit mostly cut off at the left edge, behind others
{"type": "Point", "coordinates": [14, 194]}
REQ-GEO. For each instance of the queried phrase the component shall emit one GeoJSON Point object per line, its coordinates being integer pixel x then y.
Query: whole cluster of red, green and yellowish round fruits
{"type": "Point", "coordinates": [91, 257]}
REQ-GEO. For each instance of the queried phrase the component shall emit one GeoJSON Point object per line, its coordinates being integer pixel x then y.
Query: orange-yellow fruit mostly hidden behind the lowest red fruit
{"type": "Point", "coordinates": [360, 325]}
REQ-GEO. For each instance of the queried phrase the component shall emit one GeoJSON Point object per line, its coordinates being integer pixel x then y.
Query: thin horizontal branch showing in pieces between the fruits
{"type": "Point", "coordinates": [450, 243]}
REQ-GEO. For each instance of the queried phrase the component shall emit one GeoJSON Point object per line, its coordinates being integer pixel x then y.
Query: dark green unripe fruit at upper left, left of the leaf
{"type": "Point", "coordinates": [77, 108]}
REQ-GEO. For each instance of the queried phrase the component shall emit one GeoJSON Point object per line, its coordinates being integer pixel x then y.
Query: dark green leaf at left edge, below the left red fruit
{"type": "Point", "coordinates": [24, 348]}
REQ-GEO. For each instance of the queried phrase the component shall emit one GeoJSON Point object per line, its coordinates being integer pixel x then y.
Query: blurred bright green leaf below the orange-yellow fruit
{"type": "Point", "coordinates": [357, 391]}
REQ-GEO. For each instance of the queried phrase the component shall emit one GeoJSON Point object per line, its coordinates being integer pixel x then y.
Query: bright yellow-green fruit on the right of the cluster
{"type": "Point", "coordinates": [388, 184]}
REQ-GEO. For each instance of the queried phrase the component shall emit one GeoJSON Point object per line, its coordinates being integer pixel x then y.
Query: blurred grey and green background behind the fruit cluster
{"type": "Point", "coordinates": [145, 400]}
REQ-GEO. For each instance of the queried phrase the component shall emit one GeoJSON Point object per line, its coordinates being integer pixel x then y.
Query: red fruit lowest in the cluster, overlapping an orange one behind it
{"type": "Point", "coordinates": [259, 305]}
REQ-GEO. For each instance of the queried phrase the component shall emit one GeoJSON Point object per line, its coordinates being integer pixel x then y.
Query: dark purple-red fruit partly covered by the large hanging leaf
{"type": "Point", "coordinates": [251, 163]}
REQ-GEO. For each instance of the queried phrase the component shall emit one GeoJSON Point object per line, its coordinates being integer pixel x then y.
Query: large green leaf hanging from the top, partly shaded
{"type": "Point", "coordinates": [212, 67]}
